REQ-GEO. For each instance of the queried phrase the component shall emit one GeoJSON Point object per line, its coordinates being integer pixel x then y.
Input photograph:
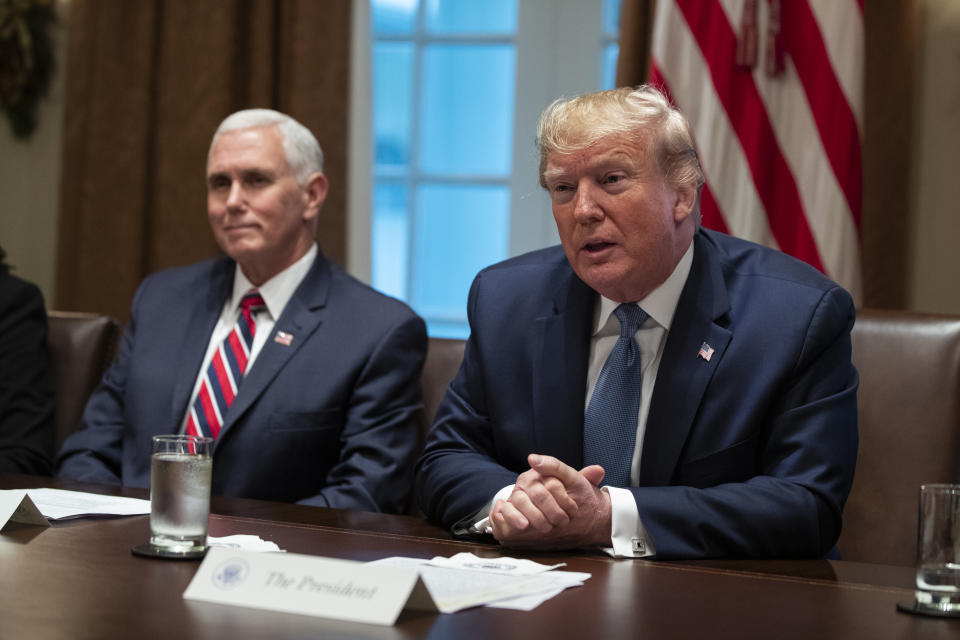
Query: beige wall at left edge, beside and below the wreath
{"type": "Point", "coordinates": [29, 182]}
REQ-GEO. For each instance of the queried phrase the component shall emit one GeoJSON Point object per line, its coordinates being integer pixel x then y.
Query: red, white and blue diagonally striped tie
{"type": "Point", "coordinates": [222, 377]}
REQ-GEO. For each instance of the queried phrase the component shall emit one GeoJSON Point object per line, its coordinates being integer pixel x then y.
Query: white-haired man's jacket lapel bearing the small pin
{"type": "Point", "coordinates": [300, 318]}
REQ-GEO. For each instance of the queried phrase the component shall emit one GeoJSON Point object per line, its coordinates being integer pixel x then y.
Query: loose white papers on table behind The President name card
{"type": "Point", "coordinates": [454, 589]}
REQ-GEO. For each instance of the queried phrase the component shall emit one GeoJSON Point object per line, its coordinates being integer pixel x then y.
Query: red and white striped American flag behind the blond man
{"type": "Point", "coordinates": [773, 91]}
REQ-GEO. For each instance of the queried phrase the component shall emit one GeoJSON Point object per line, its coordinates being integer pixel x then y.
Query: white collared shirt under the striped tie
{"type": "Point", "coordinates": [276, 293]}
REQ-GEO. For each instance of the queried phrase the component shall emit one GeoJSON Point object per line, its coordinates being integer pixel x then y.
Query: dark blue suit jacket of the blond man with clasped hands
{"type": "Point", "coordinates": [748, 454]}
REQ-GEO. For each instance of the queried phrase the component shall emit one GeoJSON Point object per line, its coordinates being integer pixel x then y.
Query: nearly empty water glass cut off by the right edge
{"type": "Point", "coordinates": [938, 548]}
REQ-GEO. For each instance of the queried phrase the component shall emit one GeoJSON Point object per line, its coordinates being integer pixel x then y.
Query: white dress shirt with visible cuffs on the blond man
{"type": "Point", "coordinates": [628, 536]}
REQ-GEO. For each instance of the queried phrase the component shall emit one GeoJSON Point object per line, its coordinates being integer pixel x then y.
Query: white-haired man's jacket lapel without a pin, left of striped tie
{"type": "Point", "coordinates": [196, 337]}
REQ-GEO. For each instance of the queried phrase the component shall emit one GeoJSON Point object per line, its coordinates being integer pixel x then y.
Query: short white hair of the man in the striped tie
{"type": "Point", "coordinates": [303, 152]}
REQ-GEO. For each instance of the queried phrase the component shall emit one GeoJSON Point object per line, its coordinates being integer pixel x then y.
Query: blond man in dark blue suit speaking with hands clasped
{"type": "Point", "coordinates": [722, 411]}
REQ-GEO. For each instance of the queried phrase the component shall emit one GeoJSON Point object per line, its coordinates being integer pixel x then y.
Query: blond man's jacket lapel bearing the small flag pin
{"type": "Point", "coordinates": [683, 376]}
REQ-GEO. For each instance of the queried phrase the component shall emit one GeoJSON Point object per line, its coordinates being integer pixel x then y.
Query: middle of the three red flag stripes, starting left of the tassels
{"type": "Point", "coordinates": [746, 111]}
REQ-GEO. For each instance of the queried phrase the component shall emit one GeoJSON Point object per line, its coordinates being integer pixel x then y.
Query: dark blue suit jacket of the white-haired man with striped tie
{"type": "Point", "coordinates": [329, 420]}
